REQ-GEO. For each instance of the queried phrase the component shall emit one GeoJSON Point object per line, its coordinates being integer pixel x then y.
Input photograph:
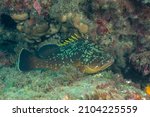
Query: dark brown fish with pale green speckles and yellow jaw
{"type": "Point", "coordinates": [80, 53]}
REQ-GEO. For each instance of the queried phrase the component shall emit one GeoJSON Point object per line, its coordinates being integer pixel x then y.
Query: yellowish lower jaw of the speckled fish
{"type": "Point", "coordinates": [92, 69]}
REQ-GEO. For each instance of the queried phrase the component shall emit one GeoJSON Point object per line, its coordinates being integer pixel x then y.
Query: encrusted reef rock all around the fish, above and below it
{"type": "Point", "coordinates": [120, 27]}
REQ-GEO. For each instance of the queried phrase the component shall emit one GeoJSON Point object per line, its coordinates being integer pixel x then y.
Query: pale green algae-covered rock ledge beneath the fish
{"type": "Point", "coordinates": [64, 85]}
